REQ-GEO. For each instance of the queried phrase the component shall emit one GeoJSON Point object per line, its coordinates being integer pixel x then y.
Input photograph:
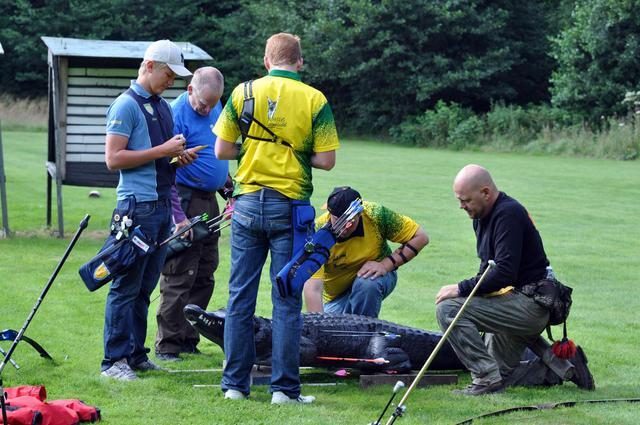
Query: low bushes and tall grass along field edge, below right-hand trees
{"type": "Point", "coordinates": [536, 128]}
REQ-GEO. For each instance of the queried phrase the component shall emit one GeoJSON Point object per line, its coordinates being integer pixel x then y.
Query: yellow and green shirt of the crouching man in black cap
{"type": "Point", "coordinates": [380, 225]}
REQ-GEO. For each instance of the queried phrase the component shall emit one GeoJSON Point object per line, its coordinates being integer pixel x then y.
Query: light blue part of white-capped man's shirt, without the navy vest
{"type": "Point", "coordinates": [125, 118]}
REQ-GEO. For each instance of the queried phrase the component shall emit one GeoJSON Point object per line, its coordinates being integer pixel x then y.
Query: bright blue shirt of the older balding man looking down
{"type": "Point", "coordinates": [206, 173]}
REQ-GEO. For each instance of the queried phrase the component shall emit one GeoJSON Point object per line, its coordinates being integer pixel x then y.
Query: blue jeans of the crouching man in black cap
{"type": "Point", "coordinates": [364, 297]}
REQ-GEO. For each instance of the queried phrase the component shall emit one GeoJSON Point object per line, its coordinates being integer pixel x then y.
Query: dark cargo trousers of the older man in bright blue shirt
{"type": "Point", "coordinates": [187, 279]}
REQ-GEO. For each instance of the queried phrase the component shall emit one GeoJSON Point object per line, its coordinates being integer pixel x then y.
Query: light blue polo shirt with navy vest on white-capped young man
{"type": "Point", "coordinates": [148, 182]}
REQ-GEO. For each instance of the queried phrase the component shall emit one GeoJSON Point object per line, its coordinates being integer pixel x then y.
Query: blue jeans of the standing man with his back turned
{"type": "Point", "coordinates": [261, 223]}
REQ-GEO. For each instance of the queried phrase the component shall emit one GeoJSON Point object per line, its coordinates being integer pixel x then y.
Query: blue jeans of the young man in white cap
{"type": "Point", "coordinates": [127, 306]}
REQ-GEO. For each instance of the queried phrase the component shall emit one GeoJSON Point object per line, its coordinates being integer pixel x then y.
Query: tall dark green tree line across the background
{"type": "Point", "coordinates": [382, 63]}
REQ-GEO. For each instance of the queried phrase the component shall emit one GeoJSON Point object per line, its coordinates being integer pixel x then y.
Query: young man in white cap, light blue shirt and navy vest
{"type": "Point", "coordinates": [139, 144]}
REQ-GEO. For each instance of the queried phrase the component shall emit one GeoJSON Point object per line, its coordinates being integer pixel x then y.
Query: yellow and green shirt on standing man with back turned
{"type": "Point", "coordinates": [297, 113]}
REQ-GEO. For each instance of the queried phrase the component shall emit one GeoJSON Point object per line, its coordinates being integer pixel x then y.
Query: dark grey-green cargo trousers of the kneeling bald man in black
{"type": "Point", "coordinates": [511, 322]}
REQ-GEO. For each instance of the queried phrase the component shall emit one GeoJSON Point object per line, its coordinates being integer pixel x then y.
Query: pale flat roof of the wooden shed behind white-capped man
{"type": "Point", "coordinates": [60, 46]}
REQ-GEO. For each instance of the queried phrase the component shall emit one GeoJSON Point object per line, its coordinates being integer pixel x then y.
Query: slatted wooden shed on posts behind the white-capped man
{"type": "Point", "coordinates": [85, 76]}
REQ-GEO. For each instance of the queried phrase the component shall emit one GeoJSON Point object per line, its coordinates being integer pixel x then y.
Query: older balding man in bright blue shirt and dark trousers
{"type": "Point", "coordinates": [188, 277]}
